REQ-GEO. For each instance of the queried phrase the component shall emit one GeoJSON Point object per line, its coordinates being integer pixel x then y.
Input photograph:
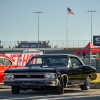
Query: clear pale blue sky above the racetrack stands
{"type": "Point", "coordinates": [19, 23]}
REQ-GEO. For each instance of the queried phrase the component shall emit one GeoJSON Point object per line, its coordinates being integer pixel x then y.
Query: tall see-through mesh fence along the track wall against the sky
{"type": "Point", "coordinates": [52, 43]}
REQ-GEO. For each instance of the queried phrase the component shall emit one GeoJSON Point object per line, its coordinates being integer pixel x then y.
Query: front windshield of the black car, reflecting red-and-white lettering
{"type": "Point", "coordinates": [47, 61]}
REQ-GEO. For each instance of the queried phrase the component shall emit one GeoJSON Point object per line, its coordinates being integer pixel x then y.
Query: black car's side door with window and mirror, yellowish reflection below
{"type": "Point", "coordinates": [75, 70]}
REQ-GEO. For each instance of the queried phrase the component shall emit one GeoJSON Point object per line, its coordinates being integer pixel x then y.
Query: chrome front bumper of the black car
{"type": "Point", "coordinates": [32, 82]}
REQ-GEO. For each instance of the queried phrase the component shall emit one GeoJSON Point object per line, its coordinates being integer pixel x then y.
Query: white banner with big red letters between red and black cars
{"type": "Point", "coordinates": [22, 58]}
